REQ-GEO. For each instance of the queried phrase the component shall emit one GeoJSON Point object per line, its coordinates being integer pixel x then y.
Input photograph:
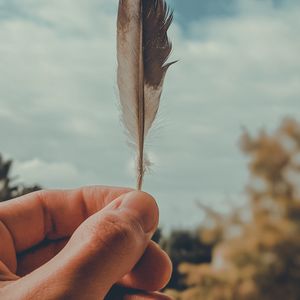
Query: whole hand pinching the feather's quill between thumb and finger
{"type": "Point", "coordinates": [90, 243]}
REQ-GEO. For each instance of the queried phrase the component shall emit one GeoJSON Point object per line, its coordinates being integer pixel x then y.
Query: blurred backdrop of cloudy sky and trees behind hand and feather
{"type": "Point", "coordinates": [236, 85]}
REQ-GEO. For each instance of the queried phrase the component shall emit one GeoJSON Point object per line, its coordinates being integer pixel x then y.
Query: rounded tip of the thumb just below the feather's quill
{"type": "Point", "coordinates": [144, 208]}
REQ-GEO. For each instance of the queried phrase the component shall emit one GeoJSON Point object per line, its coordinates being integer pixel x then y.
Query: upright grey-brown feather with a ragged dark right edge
{"type": "Point", "coordinates": [143, 48]}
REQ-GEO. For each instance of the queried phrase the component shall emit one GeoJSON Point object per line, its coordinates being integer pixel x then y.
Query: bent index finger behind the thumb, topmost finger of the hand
{"type": "Point", "coordinates": [30, 219]}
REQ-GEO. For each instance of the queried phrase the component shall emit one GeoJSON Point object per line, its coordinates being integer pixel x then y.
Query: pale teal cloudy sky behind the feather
{"type": "Point", "coordinates": [238, 68]}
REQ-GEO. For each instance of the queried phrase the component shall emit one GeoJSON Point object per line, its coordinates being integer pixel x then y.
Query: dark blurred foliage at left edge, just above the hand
{"type": "Point", "coordinates": [8, 190]}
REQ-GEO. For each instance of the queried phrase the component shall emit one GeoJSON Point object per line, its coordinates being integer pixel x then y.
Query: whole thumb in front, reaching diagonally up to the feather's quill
{"type": "Point", "coordinates": [101, 251]}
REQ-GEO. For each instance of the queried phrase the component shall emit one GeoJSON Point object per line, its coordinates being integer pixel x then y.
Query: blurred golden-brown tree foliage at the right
{"type": "Point", "coordinates": [263, 260]}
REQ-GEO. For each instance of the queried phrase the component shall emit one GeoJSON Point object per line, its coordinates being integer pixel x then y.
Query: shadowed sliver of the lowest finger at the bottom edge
{"type": "Point", "coordinates": [120, 293]}
